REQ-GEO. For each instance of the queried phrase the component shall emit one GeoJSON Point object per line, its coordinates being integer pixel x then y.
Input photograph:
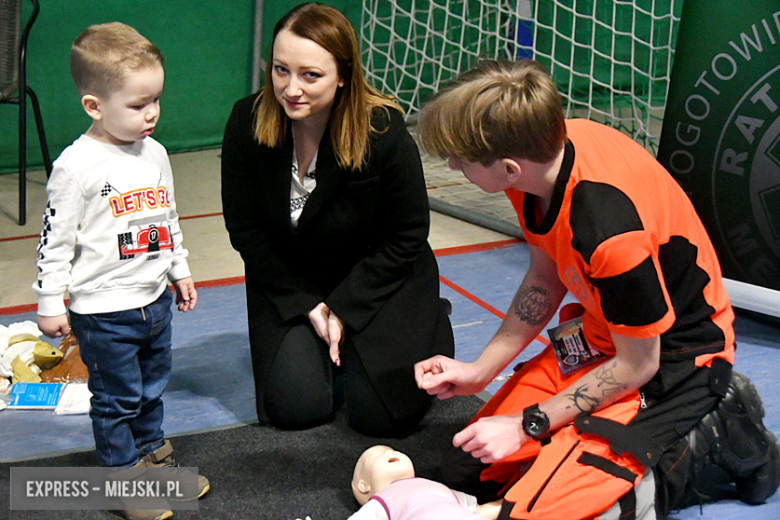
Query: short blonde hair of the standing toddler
{"type": "Point", "coordinates": [103, 54]}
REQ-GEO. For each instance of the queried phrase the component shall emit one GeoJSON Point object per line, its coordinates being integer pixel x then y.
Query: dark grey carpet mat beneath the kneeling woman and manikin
{"type": "Point", "coordinates": [259, 472]}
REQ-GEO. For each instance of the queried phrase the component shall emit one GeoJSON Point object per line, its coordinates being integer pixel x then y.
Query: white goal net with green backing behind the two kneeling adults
{"type": "Point", "coordinates": [611, 59]}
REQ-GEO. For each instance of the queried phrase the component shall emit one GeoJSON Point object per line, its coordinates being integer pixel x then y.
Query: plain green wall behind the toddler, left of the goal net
{"type": "Point", "coordinates": [208, 49]}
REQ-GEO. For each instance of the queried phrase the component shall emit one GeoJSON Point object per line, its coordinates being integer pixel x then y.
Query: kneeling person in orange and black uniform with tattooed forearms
{"type": "Point", "coordinates": [567, 437]}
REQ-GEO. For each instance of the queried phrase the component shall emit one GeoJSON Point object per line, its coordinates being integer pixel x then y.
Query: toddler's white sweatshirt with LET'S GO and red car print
{"type": "Point", "coordinates": [111, 235]}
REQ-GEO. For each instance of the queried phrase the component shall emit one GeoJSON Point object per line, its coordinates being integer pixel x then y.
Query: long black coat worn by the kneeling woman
{"type": "Point", "coordinates": [360, 246]}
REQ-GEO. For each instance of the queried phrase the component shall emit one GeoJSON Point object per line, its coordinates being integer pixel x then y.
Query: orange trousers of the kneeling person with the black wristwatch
{"type": "Point", "coordinates": [576, 476]}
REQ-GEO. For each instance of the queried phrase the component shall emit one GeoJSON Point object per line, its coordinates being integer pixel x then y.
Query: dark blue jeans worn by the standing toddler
{"type": "Point", "coordinates": [128, 356]}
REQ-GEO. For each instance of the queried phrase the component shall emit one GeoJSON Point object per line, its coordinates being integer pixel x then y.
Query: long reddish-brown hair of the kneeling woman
{"type": "Point", "coordinates": [350, 117]}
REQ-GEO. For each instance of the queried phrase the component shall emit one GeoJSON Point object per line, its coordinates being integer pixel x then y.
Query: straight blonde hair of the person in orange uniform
{"type": "Point", "coordinates": [497, 110]}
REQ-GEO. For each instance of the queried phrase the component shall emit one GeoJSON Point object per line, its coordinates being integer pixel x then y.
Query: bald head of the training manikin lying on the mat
{"type": "Point", "coordinates": [378, 467]}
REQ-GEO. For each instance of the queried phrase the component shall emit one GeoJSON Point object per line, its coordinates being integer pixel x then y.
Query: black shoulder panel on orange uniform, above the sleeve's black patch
{"type": "Point", "coordinates": [599, 212]}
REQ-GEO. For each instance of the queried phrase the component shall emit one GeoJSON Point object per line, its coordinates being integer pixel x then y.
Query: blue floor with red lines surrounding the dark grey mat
{"type": "Point", "coordinates": [212, 384]}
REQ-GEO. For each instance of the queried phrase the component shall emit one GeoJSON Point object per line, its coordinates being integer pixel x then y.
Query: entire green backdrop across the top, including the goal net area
{"type": "Point", "coordinates": [610, 58]}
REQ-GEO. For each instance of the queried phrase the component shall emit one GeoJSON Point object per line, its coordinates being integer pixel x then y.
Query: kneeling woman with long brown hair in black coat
{"type": "Point", "coordinates": [324, 197]}
